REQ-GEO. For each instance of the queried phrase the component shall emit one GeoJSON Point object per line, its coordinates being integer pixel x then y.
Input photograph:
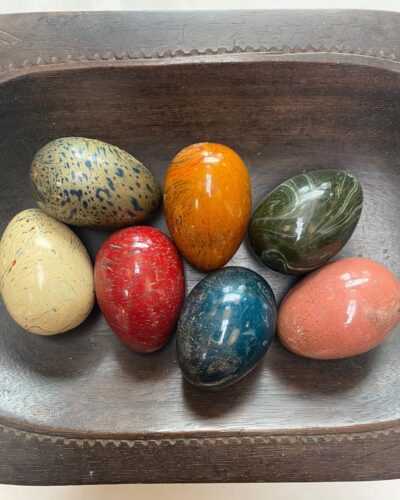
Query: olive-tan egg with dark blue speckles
{"type": "Point", "coordinates": [85, 182]}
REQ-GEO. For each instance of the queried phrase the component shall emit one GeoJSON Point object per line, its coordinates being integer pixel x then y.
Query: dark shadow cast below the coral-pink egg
{"type": "Point", "coordinates": [313, 376]}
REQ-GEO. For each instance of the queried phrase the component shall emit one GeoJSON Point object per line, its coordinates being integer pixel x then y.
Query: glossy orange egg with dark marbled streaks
{"type": "Point", "coordinates": [207, 203]}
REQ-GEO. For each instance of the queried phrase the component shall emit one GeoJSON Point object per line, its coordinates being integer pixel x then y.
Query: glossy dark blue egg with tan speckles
{"type": "Point", "coordinates": [226, 325]}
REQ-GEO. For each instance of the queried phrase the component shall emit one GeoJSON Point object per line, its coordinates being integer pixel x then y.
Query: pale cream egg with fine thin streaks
{"type": "Point", "coordinates": [46, 276]}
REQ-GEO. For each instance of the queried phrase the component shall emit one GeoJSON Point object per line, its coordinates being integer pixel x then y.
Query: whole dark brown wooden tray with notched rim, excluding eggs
{"type": "Point", "coordinates": [289, 90]}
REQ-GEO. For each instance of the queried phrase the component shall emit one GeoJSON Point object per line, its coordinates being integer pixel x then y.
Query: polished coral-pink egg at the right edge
{"type": "Point", "coordinates": [343, 309]}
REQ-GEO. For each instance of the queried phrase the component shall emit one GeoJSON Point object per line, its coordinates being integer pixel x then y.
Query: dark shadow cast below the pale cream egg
{"type": "Point", "coordinates": [63, 356]}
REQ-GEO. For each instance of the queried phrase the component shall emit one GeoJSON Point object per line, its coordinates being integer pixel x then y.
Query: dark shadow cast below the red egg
{"type": "Point", "coordinates": [145, 366]}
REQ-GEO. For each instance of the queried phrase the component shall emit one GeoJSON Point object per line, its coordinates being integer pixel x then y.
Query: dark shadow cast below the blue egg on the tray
{"type": "Point", "coordinates": [215, 403]}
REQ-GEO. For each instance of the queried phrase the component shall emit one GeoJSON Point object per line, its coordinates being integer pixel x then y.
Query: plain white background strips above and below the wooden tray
{"type": "Point", "coordinates": [385, 490]}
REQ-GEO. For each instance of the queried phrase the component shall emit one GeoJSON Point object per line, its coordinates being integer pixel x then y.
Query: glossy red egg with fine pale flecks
{"type": "Point", "coordinates": [140, 286]}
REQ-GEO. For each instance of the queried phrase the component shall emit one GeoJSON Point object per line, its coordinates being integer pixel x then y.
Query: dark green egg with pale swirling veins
{"type": "Point", "coordinates": [306, 220]}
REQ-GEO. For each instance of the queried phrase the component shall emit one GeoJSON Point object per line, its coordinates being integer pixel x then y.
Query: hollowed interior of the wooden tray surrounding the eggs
{"type": "Point", "coordinates": [282, 117]}
